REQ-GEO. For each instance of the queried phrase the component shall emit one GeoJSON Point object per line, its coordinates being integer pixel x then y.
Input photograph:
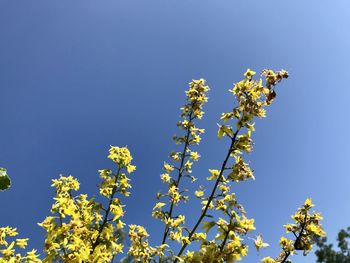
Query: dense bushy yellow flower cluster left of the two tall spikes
{"type": "Point", "coordinates": [82, 229]}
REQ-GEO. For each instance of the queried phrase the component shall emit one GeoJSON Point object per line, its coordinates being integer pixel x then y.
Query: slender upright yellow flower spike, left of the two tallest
{"type": "Point", "coordinates": [182, 163]}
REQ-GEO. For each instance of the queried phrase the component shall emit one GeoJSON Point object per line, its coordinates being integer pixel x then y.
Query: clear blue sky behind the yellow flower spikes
{"type": "Point", "coordinates": [78, 76]}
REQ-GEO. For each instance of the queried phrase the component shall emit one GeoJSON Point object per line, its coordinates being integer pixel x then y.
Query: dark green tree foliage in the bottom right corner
{"type": "Point", "coordinates": [327, 254]}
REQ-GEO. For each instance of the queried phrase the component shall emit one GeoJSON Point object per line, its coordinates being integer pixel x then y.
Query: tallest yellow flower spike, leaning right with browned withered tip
{"type": "Point", "coordinates": [232, 225]}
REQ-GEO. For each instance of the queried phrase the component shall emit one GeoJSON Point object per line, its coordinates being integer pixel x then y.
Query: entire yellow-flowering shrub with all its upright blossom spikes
{"type": "Point", "coordinates": [82, 229]}
